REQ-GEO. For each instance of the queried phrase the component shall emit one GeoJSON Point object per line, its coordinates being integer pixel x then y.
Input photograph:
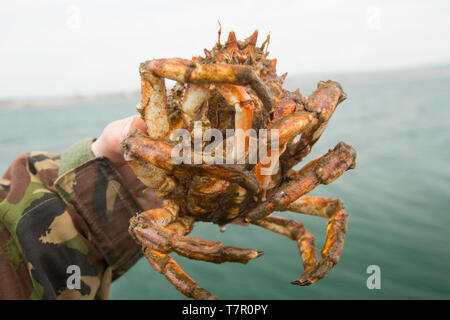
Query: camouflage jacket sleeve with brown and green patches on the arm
{"type": "Point", "coordinates": [54, 228]}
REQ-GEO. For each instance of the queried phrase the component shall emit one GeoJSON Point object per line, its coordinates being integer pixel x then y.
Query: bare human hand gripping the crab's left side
{"type": "Point", "coordinates": [108, 146]}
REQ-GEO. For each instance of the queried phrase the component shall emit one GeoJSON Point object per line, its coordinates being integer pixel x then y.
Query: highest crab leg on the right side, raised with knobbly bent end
{"type": "Point", "coordinates": [322, 102]}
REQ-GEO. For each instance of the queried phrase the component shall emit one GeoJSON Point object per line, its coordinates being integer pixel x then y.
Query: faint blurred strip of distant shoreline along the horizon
{"type": "Point", "coordinates": [410, 74]}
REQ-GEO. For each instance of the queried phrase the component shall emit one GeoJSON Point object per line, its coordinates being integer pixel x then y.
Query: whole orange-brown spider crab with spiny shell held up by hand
{"type": "Point", "coordinates": [233, 86]}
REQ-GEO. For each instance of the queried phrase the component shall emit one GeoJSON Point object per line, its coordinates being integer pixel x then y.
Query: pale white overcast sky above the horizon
{"type": "Point", "coordinates": [65, 47]}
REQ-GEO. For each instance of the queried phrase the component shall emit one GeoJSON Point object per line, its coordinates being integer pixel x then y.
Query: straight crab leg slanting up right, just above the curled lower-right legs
{"type": "Point", "coordinates": [323, 170]}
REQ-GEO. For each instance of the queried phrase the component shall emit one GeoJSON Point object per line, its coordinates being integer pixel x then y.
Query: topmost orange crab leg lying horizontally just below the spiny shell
{"type": "Point", "coordinates": [187, 71]}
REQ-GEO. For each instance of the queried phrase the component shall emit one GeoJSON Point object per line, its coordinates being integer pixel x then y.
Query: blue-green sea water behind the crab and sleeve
{"type": "Point", "coordinates": [398, 198]}
